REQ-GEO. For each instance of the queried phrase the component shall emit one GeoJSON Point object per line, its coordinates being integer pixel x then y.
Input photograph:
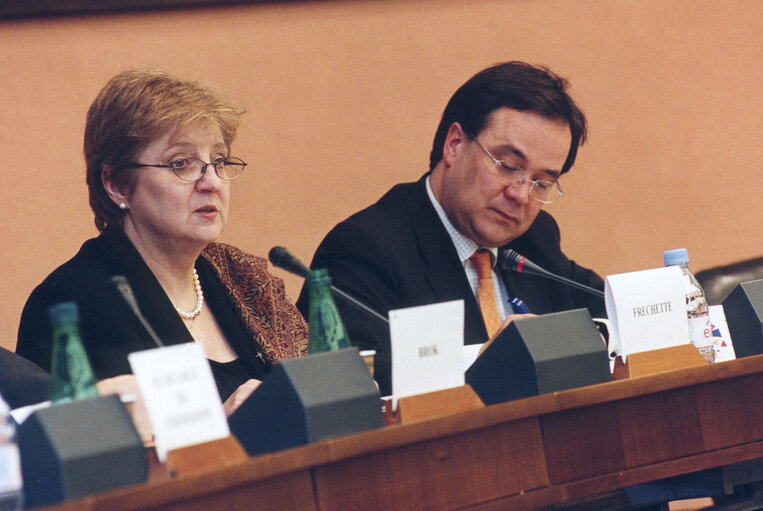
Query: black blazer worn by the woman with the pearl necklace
{"type": "Point", "coordinates": [109, 329]}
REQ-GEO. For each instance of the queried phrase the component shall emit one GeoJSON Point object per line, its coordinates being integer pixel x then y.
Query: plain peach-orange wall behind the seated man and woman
{"type": "Point", "coordinates": [343, 99]}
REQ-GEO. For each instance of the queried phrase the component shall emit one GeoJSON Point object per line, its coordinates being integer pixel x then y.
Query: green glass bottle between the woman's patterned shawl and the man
{"type": "Point", "coordinates": [326, 331]}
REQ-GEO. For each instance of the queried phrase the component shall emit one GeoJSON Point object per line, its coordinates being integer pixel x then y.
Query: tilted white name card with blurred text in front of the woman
{"type": "Point", "coordinates": [181, 396]}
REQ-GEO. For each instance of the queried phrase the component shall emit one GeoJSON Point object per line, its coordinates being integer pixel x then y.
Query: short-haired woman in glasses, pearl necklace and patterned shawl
{"type": "Point", "coordinates": [159, 172]}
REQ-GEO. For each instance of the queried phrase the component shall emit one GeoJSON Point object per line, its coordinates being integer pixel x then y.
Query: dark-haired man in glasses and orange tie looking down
{"type": "Point", "coordinates": [505, 139]}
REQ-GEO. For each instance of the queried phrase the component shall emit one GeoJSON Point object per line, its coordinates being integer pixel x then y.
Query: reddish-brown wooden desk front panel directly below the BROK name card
{"type": "Point", "coordinates": [449, 473]}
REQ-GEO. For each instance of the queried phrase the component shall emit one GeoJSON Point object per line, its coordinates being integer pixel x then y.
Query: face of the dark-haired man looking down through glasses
{"type": "Point", "coordinates": [477, 195]}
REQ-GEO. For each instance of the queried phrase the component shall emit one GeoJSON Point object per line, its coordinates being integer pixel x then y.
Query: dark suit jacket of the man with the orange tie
{"type": "Point", "coordinates": [396, 253]}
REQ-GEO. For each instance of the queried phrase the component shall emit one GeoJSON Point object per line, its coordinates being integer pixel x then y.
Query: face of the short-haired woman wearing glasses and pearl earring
{"type": "Point", "coordinates": [168, 214]}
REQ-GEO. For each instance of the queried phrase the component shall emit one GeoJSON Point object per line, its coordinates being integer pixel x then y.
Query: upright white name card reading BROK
{"type": "Point", "coordinates": [427, 348]}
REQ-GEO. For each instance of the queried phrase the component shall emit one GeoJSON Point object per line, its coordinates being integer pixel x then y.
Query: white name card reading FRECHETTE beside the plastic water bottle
{"type": "Point", "coordinates": [646, 310]}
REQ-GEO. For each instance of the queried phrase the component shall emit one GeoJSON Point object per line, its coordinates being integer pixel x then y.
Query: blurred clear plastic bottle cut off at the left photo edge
{"type": "Point", "coordinates": [11, 483]}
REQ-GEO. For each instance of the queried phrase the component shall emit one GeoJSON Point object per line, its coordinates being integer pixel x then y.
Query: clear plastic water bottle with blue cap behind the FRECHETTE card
{"type": "Point", "coordinates": [700, 329]}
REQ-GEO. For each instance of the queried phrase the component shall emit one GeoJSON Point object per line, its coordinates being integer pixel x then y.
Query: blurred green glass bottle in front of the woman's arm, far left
{"type": "Point", "coordinates": [71, 375]}
